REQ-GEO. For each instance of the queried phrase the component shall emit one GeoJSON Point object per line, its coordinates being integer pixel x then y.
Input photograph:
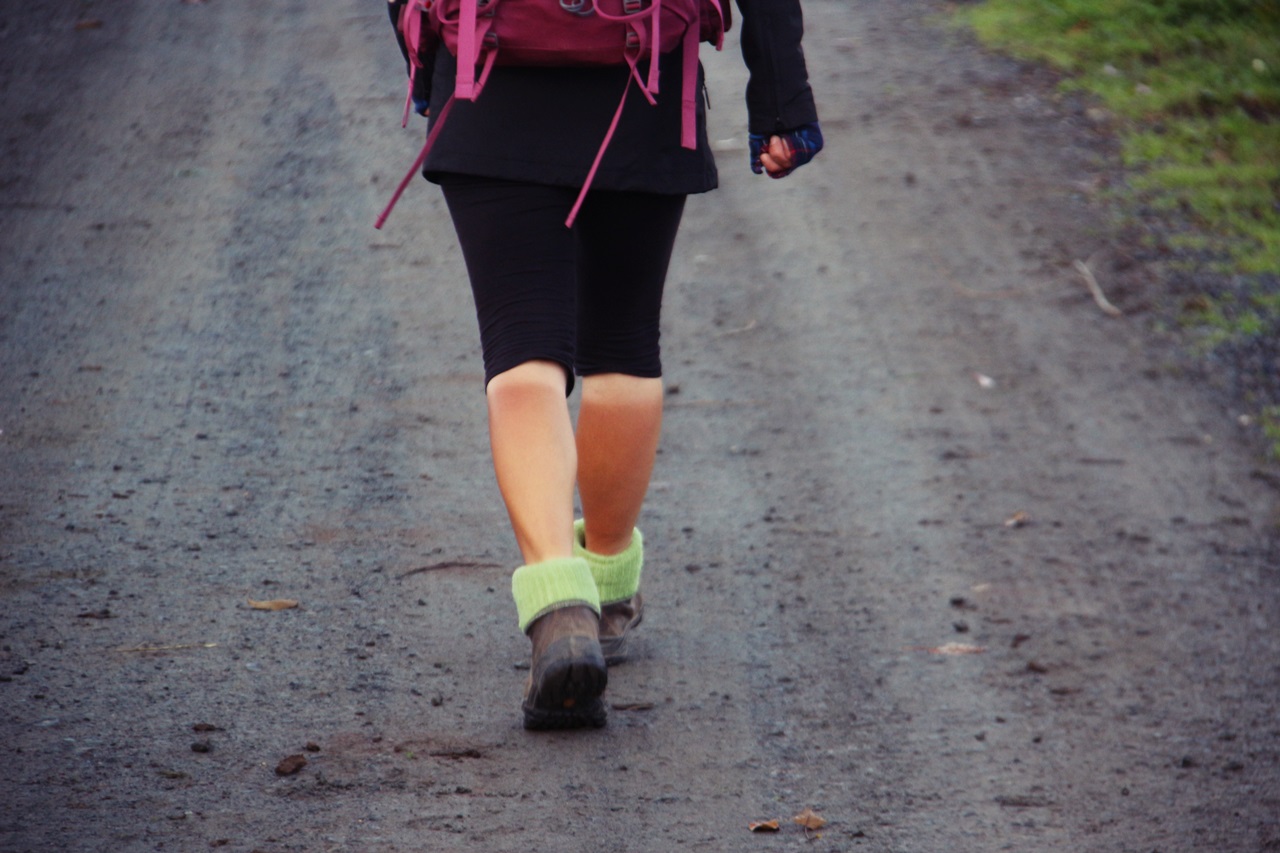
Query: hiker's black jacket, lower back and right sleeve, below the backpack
{"type": "Point", "coordinates": [546, 125]}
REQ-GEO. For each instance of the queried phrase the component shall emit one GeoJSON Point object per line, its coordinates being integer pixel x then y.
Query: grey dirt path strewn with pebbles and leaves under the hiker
{"type": "Point", "coordinates": [220, 384]}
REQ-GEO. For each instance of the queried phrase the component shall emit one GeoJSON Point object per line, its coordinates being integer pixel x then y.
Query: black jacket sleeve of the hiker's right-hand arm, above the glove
{"type": "Point", "coordinates": [778, 94]}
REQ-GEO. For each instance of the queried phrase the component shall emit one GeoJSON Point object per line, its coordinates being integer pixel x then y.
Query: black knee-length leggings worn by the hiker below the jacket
{"type": "Point", "coordinates": [588, 299]}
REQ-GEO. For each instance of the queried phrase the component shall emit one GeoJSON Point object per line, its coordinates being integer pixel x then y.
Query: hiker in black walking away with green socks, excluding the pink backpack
{"type": "Point", "coordinates": [557, 303]}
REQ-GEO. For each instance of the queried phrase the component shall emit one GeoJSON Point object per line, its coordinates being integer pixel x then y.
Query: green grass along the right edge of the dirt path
{"type": "Point", "coordinates": [1195, 90]}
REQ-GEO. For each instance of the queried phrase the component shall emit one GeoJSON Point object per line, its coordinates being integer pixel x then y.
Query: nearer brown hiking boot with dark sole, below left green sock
{"type": "Point", "coordinates": [569, 672]}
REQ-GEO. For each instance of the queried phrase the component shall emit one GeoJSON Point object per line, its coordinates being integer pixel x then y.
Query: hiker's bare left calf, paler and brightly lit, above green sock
{"type": "Point", "coordinates": [534, 458]}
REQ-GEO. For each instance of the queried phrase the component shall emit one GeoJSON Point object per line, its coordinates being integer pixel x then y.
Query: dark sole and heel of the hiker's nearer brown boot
{"type": "Point", "coordinates": [566, 687]}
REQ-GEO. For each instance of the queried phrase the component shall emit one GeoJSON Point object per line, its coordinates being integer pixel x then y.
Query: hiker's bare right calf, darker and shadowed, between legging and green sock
{"type": "Point", "coordinates": [619, 427]}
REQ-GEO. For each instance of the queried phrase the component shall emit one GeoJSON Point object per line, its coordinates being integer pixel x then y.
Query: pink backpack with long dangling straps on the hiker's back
{"type": "Point", "coordinates": [483, 34]}
